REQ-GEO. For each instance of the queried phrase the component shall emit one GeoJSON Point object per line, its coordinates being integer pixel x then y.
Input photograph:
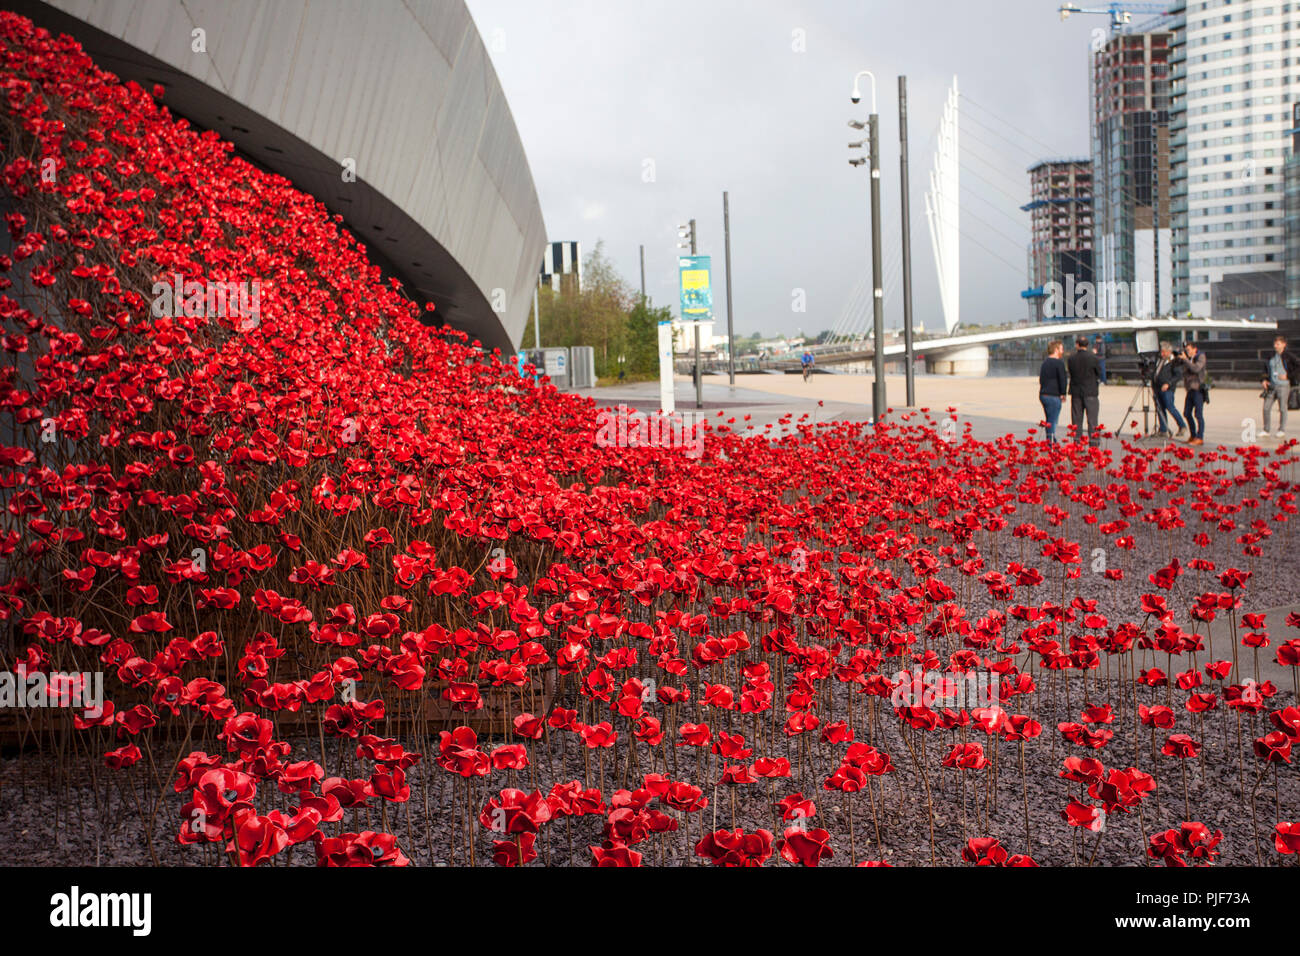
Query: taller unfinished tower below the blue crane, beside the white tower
{"type": "Point", "coordinates": [1130, 175]}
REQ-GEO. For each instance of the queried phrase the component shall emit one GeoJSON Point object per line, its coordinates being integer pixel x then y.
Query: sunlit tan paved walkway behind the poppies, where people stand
{"type": "Point", "coordinates": [994, 405]}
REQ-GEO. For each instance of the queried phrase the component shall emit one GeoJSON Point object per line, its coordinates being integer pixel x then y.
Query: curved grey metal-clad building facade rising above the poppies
{"type": "Point", "coordinates": [391, 114]}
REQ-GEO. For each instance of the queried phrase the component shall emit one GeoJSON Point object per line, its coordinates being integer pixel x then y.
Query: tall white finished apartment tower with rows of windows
{"type": "Point", "coordinates": [1234, 77]}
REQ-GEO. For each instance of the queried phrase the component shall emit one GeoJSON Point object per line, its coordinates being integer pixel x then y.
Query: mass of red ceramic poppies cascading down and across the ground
{"type": "Point", "coordinates": [281, 539]}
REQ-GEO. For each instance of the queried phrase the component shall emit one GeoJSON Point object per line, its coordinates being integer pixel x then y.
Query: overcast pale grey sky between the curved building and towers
{"type": "Point", "coordinates": [753, 98]}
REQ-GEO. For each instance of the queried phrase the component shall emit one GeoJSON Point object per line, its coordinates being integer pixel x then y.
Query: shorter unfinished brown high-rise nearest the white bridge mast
{"type": "Point", "coordinates": [1060, 213]}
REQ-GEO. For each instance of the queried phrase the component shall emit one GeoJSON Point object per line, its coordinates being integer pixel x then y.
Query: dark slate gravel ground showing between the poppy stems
{"type": "Point", "coordinates": [84, 815]}
